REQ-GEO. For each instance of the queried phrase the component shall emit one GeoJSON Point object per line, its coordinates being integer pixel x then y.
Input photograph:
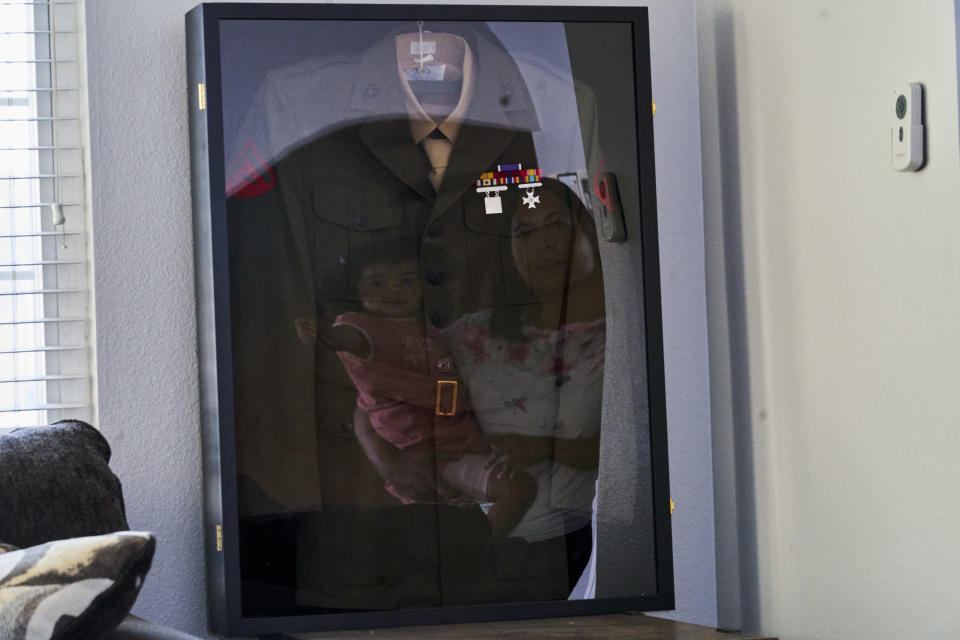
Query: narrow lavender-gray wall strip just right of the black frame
{"type": "Point", "coordinates": [673, 51]}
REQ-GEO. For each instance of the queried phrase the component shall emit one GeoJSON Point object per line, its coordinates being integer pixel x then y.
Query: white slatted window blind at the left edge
{"type": "Point", "coordinates": [44, 292]}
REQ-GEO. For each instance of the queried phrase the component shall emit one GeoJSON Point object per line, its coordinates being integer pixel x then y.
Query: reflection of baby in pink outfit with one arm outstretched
{"type": "Point", "coordinates": [387, 352]}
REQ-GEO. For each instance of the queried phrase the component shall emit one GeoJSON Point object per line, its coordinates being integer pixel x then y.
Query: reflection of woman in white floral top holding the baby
{"type": "Point", "coordinates": [535, 373]}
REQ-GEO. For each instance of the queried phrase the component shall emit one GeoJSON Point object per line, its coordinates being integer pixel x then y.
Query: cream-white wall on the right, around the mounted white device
{"type": "Point", "coordinates": [834, 315]}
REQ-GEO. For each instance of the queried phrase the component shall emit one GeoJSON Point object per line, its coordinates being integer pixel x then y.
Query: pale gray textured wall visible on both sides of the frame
{"type": "Point", "coordinates": [145, 307]}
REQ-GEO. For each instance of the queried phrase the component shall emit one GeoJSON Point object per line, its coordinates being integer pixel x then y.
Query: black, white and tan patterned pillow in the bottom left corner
{"type": "Point", "coordinates": [71, 589]}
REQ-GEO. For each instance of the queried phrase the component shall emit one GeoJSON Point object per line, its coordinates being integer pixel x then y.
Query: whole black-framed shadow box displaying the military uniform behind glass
{"type": "Point", "coordinates": [428, 313]}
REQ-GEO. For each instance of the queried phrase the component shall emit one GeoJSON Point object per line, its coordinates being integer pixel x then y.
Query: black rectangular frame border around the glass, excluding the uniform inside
{"type": "Point", "coordinates": [222, 535]}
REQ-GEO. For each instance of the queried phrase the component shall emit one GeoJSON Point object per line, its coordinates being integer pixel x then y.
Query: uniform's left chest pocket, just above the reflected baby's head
{"type": "Point", "coordinates": [352, 220]}
